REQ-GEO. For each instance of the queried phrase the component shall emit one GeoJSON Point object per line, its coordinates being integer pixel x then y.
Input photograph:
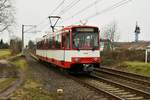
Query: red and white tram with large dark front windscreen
{"type": "Point", "coordinates": [75, 48]}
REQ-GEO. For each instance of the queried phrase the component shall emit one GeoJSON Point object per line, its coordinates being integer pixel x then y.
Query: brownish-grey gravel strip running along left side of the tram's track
{"type": "Point", "coordinates": [53, 81]}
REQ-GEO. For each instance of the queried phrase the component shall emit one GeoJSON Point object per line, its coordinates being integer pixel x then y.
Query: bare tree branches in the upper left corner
{"type": "Point", "coordinates": [6, 15]}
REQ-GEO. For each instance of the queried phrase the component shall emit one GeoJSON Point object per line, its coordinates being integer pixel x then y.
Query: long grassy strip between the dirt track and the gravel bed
{"type": "Point", "coordinates": [31, 89]}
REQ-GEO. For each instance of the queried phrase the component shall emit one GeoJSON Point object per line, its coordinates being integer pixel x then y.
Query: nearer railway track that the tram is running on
{"type": "Point", "coordinates": [110, 89]}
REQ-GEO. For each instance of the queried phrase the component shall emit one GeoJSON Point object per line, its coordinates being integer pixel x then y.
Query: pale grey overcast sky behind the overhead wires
{"type": "Point", "coordinates": [32, 12]}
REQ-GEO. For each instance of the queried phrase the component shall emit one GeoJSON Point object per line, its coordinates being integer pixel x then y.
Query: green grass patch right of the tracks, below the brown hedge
{"type": "Point", "coordinates": [137, 67]}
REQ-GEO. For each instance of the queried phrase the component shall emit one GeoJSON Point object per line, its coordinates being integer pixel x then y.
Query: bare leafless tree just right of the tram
{"type": "Point", "coordinates": [110, 33]}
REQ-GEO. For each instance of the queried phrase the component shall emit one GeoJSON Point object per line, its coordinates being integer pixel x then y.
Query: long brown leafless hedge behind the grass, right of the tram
{"type": "Point", "coordinates": [114, 57]}
